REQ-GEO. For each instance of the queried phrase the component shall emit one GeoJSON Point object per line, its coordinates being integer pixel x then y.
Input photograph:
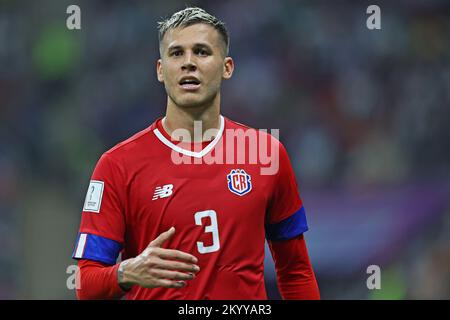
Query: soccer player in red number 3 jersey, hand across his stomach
{"type": "Point", "coordinates": [188, 227]}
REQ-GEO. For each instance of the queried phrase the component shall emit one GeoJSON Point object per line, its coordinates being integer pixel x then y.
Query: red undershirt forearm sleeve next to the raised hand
{"type": "Point", "coordinates": [98, 281]}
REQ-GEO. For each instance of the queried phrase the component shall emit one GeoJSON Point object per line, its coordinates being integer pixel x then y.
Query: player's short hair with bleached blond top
{"type": "Point", "coordinates": [191, 16]}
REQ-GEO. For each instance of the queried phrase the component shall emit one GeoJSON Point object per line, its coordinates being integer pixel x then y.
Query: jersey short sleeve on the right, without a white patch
{"type": "Point", "coordinates": [286, 218]}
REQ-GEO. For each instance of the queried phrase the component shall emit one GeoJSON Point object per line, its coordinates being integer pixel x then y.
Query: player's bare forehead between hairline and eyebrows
{"type": "Point", "coordinates": [191, 35]}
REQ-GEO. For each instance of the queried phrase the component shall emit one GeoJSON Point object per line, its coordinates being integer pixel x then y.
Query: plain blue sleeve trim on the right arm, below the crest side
{"type": "Point", "coordinates": [289, 228]}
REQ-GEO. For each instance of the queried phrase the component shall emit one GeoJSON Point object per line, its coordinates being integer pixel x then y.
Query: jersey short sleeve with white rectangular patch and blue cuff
{"type": "Point", "coordinates": [102, 227]}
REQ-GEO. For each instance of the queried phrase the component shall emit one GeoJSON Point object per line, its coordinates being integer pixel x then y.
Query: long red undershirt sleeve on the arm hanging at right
{"type": "Point", "coordinates": [296, 279]}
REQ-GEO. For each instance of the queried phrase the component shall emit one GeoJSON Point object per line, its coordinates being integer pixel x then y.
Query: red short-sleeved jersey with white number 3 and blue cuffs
{"type": "Point", "coordinates": [222, 211]}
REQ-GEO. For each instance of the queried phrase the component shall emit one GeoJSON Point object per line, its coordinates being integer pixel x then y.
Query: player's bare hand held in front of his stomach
{"type": "Point", "coordinates": [158, 267]}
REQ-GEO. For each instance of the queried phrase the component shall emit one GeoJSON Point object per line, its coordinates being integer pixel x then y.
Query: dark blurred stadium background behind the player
{"type": "Point", "coordinates": [364, 115]}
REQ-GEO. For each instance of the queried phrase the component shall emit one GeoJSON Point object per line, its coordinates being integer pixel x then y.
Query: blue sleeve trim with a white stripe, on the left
{"type": "Point", "coordinates": [96, 248]}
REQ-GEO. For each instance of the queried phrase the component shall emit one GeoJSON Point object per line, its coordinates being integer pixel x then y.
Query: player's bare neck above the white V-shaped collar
{"type": "Point", "coordinates": [184, 118]}
